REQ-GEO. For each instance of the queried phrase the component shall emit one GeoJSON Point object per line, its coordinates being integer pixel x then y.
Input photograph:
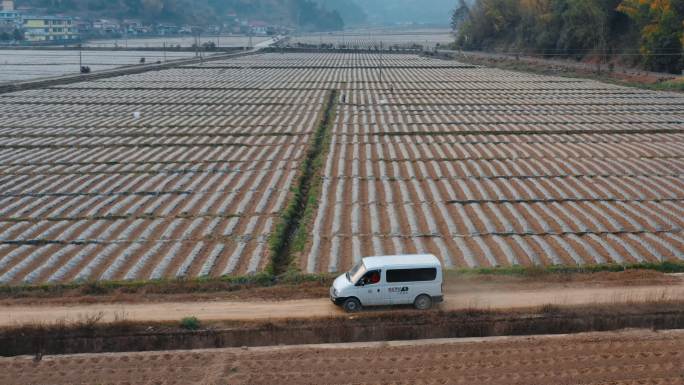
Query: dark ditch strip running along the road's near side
{"type": "Point", "coordinates": [92, 337]}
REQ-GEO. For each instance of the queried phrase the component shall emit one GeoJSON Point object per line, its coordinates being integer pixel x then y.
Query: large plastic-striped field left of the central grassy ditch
{"type": "Point", "coordinates": [192, 187]}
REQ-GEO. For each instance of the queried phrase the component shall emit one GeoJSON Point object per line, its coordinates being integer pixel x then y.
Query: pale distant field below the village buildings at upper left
{"type": "Point", "coordinates": [17, 65]}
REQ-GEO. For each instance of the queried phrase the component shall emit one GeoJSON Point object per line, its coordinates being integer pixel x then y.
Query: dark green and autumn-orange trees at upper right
{"type": "Point", "coordinates": [643, 32]}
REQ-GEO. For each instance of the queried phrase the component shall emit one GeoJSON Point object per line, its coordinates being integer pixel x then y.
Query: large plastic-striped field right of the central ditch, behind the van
{"type": "Point", "coordinates": [485, 168]}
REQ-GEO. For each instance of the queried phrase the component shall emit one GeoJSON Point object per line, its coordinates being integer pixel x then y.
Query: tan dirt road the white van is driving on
{"type": "Point", "coordinates": [476, 297]}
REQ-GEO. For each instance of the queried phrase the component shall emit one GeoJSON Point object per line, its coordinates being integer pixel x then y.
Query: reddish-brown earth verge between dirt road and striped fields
{"type": "Point", "coordinates": [190, 291]}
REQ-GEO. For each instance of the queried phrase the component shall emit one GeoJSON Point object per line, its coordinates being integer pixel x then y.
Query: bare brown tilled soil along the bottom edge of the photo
{"type": "Point", "coordinates": [631, 357]}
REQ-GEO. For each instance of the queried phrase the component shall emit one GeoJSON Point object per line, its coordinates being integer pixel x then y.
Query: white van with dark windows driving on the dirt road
{"type": "Point", "coordinates": [390, 280]}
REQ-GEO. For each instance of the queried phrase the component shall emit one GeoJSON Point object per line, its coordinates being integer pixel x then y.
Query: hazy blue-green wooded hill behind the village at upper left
{"type": "Point", "coordinates": [307, 14]}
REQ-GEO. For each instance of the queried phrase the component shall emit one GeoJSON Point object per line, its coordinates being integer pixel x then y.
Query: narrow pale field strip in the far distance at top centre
{"type": "Point", "coordinates": [426, 39]}
